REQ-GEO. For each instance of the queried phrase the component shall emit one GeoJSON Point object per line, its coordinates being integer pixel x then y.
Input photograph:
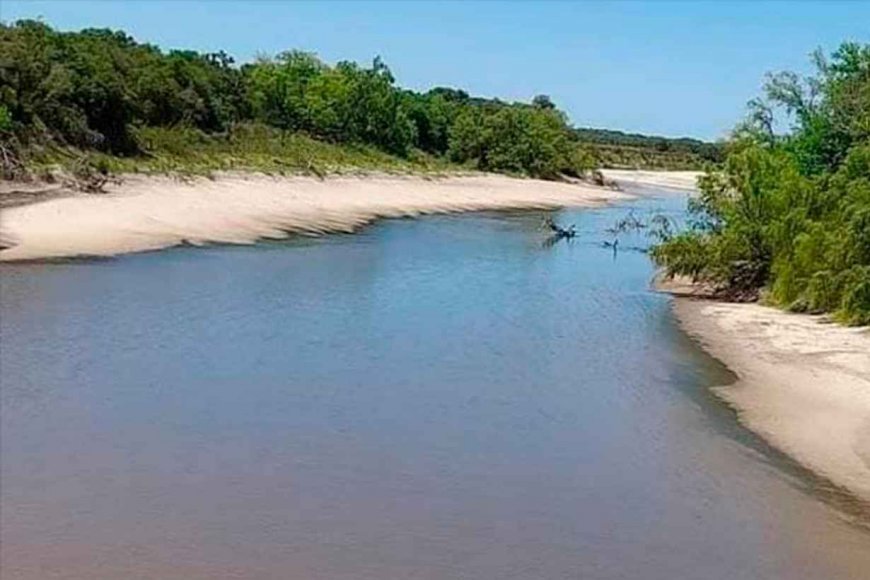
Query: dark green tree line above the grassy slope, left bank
{"type": "Point", "coordinates": [97, 89]}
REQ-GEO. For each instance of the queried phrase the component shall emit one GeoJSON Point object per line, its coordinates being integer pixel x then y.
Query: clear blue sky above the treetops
{"type": "Point", "coordinates": [671, 68]}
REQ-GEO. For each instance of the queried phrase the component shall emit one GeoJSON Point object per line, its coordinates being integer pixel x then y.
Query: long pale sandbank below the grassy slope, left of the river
{"type": "Point", "coordinates": [148, 213]}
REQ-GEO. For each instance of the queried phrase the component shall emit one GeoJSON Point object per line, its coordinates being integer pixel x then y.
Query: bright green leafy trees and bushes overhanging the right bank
{"type": "Point", "coordinates": [789, 215]}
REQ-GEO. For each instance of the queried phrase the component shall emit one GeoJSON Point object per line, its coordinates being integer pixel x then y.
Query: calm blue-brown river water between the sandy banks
{"type": "Point", "coordinates": [442, 398]}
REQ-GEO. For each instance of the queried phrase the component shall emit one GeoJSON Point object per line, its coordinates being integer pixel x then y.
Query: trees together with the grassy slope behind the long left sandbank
{"type": "Point", "coordinates": [97, 100]}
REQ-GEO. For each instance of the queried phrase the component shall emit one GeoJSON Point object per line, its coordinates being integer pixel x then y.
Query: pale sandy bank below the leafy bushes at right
{"type": "Point", "coordinates": [804, 383]}
